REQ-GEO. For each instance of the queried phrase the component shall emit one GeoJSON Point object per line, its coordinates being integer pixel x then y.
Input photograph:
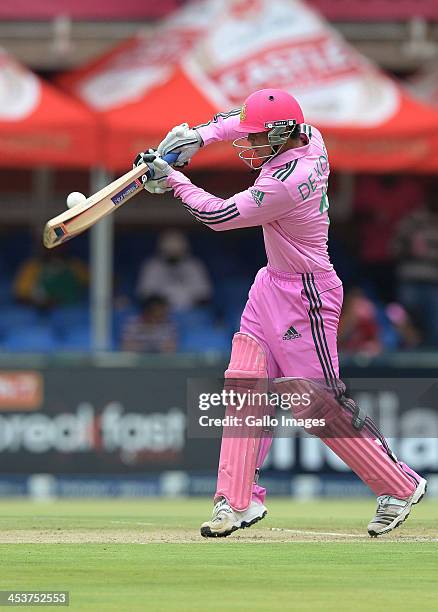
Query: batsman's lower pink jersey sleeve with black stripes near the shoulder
{"type": "Point", "coordinates": [267, 201]}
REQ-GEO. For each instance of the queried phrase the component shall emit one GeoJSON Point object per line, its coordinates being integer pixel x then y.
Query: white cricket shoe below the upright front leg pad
{"type": "Point", "coordinates": [225, 520]}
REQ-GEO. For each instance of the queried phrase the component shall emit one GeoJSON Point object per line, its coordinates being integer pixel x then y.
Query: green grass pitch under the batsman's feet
{"type": "Point", "coordinates": [147, 555]}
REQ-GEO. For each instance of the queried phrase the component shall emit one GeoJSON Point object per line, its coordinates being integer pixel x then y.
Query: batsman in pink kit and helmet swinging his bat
{"type": "Point", "coordinates": [289, 326]}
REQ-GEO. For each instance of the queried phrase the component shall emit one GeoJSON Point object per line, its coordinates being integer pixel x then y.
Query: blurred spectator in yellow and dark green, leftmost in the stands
{"type": "Point", "coordinates": [51, 279]}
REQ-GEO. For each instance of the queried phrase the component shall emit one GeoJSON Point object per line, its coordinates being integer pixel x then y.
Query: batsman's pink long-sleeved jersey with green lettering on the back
{"type": "Point", "coordinates": [288, 199]}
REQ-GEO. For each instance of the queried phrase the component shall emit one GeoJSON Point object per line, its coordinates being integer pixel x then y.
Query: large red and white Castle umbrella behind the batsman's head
{"type": "Point", "coordinates": [213, 54]}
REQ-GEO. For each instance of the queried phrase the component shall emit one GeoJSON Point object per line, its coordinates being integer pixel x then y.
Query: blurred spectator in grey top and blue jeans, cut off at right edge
{"type": "Point", "coordinates": [416, 249]}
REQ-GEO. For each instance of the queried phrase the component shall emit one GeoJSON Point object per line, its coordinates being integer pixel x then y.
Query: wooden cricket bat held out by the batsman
{"type": "Point", "coordinates": [76, 220]}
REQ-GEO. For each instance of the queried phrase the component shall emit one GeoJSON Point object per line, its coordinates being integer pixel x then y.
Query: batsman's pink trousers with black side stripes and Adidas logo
{"type": "Point", "coordinates": [295, 317]}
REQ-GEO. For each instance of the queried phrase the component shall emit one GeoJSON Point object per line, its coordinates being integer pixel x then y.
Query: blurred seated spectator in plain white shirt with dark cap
{"type": "Point", "coordinates": [174, 274]}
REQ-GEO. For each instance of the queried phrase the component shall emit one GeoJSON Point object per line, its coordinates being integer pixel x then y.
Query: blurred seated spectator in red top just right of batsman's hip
{"type": "Point", "coordinates": [359, 328]}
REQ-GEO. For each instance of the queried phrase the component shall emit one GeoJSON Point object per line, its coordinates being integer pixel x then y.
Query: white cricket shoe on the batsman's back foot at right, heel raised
{"type": "Point", "coordinates": [391, 511]}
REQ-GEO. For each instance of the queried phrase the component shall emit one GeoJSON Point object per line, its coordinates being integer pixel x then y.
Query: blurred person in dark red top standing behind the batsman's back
{"type": "Point", "coordinates": [380, 203]}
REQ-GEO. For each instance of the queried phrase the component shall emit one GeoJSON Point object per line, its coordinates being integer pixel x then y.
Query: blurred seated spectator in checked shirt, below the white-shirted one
{"type": "Point", "coordinates": [151, 331]}
